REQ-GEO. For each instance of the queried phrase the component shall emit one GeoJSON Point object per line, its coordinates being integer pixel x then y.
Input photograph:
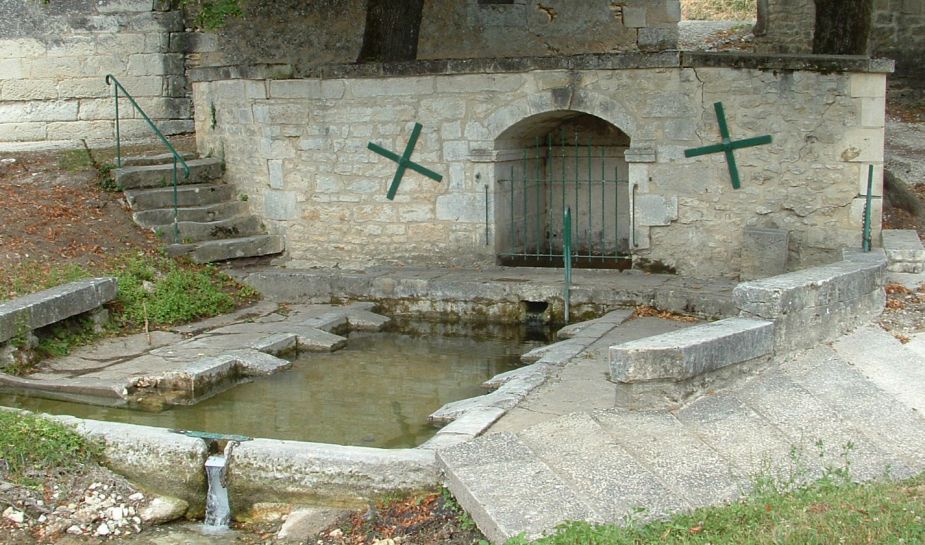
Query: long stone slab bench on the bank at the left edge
{"type": "Point", "coordinates": [30, 312]}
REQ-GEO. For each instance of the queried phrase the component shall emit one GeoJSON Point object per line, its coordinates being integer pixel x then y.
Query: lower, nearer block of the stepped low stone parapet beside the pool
{"type": "Point", "coordinates": [668, 368]}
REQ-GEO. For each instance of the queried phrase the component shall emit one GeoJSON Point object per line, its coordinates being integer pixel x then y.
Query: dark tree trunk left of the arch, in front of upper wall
{"type": "Point", "coordinates": [391, 32]}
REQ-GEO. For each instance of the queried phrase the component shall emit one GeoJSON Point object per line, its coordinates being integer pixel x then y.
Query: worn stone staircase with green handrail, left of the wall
{"type": "Point", "coordinates": [213, 223]}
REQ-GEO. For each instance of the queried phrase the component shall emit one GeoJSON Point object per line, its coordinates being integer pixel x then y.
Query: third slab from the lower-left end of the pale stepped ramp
{"type": "Point", "coordinates": [681, 461]}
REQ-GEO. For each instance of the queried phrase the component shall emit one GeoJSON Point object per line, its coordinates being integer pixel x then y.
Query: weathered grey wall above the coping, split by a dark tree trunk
{"type": "Point", "coordinates": [306, 35]}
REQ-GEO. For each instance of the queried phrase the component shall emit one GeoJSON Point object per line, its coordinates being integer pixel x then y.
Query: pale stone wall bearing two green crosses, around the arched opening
{"type": "Point", "coordinates": [298, 149]}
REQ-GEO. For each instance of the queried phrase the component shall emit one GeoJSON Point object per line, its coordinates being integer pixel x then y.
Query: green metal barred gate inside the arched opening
{"type": "Point", "coordinates": [535, 189]}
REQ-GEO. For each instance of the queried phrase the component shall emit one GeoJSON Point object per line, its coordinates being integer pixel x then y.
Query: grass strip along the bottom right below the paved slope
{"type": "Point", "coordinates": [833, 510]}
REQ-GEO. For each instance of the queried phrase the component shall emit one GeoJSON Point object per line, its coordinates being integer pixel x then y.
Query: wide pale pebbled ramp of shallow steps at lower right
{"type": "Point", "coordinates": [616, 465]}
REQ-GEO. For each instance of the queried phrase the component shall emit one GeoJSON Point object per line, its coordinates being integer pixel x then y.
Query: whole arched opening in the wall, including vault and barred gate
{"type": "Point", "coordinates": [553, 160]}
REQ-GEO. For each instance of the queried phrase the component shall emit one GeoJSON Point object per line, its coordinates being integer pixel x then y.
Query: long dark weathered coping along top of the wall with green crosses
{"type": "Point", "coordinates": [602, 61]}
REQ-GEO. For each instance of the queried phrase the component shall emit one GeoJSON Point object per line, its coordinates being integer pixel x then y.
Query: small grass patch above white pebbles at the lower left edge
{"type": "Point", "coordinates": [29, 443]}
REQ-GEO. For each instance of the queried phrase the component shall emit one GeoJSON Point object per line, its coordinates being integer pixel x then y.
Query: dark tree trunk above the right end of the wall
{"type": "Point", "coordinates": [843, 27]}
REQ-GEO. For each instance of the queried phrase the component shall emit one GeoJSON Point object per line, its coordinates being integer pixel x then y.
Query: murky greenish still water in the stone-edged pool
{"type": "Point", "coordinates": [377, 392]}
